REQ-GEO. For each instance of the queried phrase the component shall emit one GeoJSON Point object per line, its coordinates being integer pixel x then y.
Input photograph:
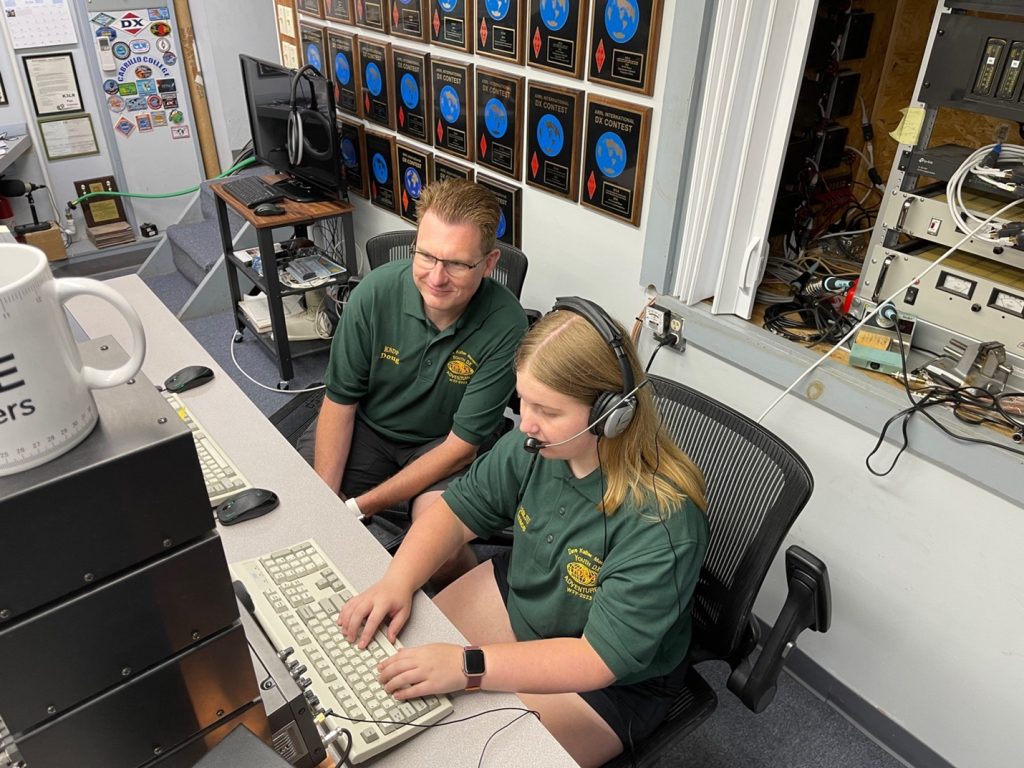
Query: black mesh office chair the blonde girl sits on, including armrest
{"type": "Point", "coordinates": [757, 486]}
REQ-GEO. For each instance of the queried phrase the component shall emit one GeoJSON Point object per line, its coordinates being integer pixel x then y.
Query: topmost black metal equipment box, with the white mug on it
{"type": "Point", "coordinates": [132, 491]}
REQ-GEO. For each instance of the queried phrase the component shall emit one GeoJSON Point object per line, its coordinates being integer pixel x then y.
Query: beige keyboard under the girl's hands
{"type": "Point", "coordinates": [297, 593]}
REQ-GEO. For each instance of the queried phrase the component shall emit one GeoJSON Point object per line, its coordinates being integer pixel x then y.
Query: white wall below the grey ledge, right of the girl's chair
{"type": "Point", "coordinates": [927, 577]}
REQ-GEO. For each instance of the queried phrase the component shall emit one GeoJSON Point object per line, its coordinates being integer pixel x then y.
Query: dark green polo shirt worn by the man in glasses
{"type": "Point", "coordinates": [414, 383]}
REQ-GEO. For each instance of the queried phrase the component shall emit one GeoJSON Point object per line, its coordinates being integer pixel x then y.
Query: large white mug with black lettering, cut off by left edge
{"type": "Point", "coordinates": [47, 405]}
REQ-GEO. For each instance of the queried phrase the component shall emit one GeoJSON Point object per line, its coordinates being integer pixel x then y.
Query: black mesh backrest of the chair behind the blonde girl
{"type": "Point", "coordinates": [757, 486]}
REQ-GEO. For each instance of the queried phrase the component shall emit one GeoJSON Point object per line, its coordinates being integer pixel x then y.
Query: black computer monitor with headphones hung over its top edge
{"type": "Point", "coordinates": [282, 109]}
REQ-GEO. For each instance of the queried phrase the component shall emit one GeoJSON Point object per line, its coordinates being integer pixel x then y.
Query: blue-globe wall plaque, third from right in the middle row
{"type": "Point", "coordinates": [499, 121]}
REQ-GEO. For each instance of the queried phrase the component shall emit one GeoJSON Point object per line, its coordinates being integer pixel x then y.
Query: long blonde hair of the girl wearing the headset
{"type": "Point", "coordinates": [566, 353]}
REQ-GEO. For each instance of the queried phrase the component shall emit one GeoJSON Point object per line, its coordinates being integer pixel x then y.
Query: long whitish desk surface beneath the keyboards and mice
{"type": "Point", "coordinates": [309, 509]}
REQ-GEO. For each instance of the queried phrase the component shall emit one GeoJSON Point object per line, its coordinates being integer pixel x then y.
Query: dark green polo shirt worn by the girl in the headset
{"type": "Point", "coordinates": [632, 602]}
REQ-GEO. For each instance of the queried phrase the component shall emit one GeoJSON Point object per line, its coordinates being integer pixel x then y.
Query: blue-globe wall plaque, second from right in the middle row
{"type": "Point", "coordinates": [553, 123]}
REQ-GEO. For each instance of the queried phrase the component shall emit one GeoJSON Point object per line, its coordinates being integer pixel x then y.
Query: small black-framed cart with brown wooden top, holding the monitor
{"type": "Point", "coordinates": [300, 216]}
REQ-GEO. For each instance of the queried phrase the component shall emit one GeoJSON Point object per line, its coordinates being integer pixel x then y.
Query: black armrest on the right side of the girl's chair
{"type": "Point", "coordinates": [808, 606]}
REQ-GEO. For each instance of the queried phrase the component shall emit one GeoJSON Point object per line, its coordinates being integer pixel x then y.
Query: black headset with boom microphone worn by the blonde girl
{"type": "Point", "coordinates": [613, 412]}
